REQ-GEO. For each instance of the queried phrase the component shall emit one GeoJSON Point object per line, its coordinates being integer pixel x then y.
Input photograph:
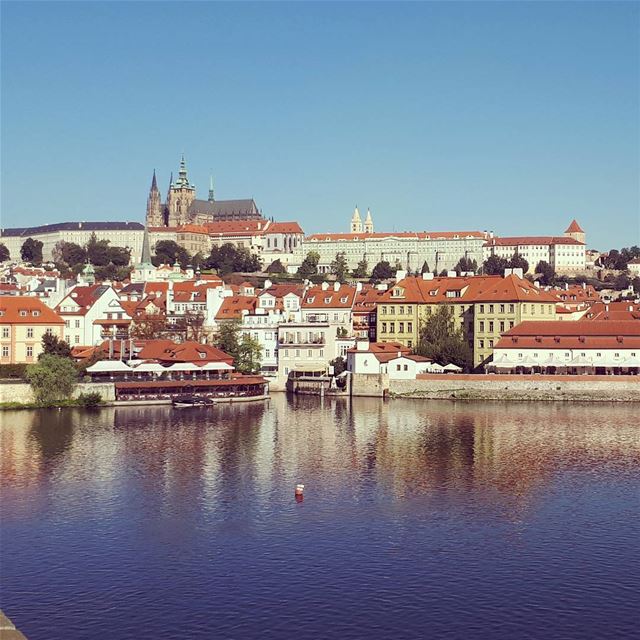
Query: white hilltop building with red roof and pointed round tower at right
{"type": "Point", "coordinates": [566, 253]}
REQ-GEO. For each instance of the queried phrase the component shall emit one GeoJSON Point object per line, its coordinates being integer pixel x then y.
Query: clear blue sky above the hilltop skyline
{"type": "Point", "coordinates": [506, 116]}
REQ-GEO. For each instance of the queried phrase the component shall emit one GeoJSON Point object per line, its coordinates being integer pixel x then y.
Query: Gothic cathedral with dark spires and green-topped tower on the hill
{"type": "Point", "coordinates": [182, 207]}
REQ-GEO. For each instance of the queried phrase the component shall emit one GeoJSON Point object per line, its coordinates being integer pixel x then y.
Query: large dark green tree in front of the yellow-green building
{"type": "Point", "coordinates": [441, 341]}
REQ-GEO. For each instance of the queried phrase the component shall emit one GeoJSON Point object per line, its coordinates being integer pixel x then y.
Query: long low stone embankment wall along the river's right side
{"type": "Point", "coordinates": [503, 387]}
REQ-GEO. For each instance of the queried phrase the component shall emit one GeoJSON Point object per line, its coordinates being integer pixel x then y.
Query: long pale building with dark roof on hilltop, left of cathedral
{"type": "Point", "coordinates": [120, 234]}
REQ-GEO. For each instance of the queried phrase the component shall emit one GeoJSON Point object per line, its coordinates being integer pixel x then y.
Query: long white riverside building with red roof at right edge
{"type": "Point", "coordinates": [594, 347]}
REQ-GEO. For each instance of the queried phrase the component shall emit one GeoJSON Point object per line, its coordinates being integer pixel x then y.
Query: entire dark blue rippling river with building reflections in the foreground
{"type": "Point", "coordinates": [420, 519]}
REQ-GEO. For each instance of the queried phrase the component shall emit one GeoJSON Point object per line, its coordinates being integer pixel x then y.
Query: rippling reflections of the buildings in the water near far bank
{"type": "Point", "coordinates": [494, 454]}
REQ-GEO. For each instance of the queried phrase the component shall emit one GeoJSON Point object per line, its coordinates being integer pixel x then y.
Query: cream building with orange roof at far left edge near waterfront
{"type": "Point", "coordinates": [23, 322]}
